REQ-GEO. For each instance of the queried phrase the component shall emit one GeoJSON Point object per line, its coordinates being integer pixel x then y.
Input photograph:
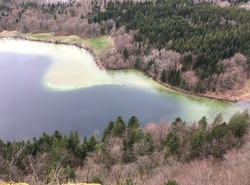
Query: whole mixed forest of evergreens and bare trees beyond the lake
{"type": "Point", "coordinates": [195, 46]}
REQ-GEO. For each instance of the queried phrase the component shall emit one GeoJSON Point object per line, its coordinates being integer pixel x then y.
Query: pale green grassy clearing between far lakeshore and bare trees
{"type": "Point", "coordinates": [98, 44]}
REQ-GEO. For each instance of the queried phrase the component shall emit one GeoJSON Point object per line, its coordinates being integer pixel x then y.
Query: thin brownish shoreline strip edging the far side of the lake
{"type": "Point", "coordinates": [20, 36]}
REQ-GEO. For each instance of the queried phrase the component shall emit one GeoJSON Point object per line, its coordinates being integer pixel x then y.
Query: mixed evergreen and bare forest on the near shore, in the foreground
{"type": "Point", "coordinates": [127, 154]}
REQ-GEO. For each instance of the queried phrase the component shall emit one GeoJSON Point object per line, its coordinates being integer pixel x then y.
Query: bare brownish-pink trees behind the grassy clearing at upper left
{"type": "Point", "coordinates": [62, 18]}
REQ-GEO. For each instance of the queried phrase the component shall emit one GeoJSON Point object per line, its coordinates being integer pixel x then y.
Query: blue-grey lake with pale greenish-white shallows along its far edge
{"type": "Point", "coordinates": [46, 87]}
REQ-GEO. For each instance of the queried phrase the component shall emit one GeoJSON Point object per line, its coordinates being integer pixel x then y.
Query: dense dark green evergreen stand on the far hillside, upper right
{"type": "Point", "coordinates": [210, 32]}
